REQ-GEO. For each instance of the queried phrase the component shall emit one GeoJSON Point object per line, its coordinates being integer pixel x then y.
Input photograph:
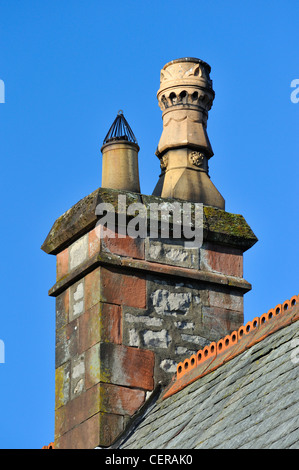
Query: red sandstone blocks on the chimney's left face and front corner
{"type": "Point", "coordinates": [100, 382]}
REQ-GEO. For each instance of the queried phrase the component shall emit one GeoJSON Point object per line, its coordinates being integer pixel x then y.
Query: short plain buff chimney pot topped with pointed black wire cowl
{"type": "Point", "coordinates": [120, 157]}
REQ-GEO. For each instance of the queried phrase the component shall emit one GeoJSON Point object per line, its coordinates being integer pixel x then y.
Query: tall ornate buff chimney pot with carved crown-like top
{"type": "Point", "coordinates": [185, 98]}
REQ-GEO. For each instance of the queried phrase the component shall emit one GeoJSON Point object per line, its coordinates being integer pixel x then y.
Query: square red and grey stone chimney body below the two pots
{"type": "Point", "coordinates": [129, 309]}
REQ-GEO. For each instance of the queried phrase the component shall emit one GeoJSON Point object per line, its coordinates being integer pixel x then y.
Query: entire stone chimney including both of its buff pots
{"type": "Point", "coordinates": [129, 309]}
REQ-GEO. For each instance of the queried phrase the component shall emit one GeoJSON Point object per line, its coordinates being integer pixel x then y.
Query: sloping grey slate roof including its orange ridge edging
{"type": "Point", "coordinates": [245, 396]}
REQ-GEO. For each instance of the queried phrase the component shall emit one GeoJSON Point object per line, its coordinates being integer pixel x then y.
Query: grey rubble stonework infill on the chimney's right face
{"type": "Point", "coordinates": [182, 316]}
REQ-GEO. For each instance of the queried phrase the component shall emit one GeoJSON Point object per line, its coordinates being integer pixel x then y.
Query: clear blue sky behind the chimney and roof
{"type": "Point", "coordinates": [68, 67]}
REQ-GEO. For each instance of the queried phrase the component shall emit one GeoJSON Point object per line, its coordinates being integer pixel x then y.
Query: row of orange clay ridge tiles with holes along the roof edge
{"type": "Point", "coordinates": [215, 354]}
